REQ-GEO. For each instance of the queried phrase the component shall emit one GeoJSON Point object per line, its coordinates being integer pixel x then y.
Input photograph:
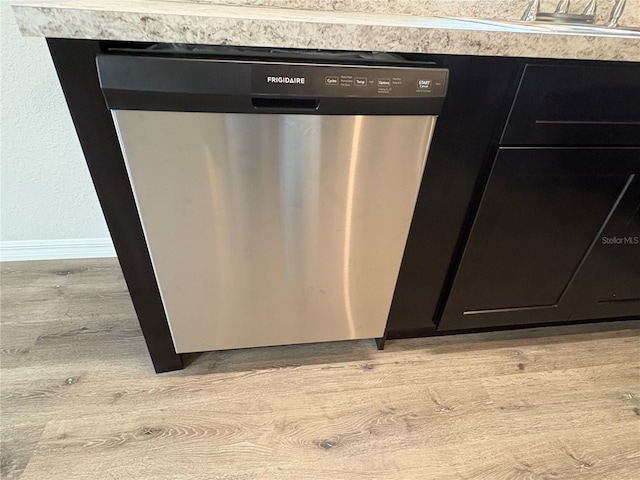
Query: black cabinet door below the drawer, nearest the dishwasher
{"type": "Point", "coordinates": [542, 214]}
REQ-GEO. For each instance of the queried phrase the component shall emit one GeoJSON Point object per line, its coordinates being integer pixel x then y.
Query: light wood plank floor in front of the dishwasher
{"type": "Point", "coordinates": [80, 398]}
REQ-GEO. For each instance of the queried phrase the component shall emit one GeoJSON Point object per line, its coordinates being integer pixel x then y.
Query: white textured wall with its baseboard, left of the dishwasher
{"type": "Point", "coordinates": [48, 207]}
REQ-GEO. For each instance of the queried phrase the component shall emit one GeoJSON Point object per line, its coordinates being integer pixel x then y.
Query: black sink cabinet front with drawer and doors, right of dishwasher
{"type": "Point", "coordinates": [556, 233]}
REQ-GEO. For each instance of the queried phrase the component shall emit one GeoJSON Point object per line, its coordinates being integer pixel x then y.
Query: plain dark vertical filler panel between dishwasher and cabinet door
{"type": "Point", "coordinates": [477, 105]}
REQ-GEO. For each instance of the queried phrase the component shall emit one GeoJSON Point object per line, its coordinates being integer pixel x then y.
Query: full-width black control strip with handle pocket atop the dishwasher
{"type": "Point", "coordinates": [179, 84]}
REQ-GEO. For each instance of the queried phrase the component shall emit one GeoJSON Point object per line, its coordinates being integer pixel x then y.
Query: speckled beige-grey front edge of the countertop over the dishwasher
{"type": "Point", "coordinates": [94, 24]}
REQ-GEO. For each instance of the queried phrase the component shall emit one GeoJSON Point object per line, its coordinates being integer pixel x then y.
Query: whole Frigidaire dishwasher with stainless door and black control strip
{"type": "Point", "coordinates": [275, 197]}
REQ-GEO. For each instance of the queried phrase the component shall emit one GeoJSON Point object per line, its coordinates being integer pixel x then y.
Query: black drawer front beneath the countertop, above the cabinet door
{"type": "Point", "coordinates": [576, 105]}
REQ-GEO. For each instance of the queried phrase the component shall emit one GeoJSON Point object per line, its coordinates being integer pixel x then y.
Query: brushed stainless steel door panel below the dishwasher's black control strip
{"type": "Point", "coordinates": [274, 229]}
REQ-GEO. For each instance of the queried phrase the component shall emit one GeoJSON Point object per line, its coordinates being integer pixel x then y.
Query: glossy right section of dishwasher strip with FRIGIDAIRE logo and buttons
{"type": "Point", "coordinates": [347, 81]}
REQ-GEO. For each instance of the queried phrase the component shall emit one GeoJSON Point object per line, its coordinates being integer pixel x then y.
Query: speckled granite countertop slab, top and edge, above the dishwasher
{"type": "Point", "coordinates": [273, 26]}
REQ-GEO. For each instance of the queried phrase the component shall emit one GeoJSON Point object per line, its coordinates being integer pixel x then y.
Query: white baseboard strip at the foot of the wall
{"type": "Point", "coordinates": [56, 249]}
